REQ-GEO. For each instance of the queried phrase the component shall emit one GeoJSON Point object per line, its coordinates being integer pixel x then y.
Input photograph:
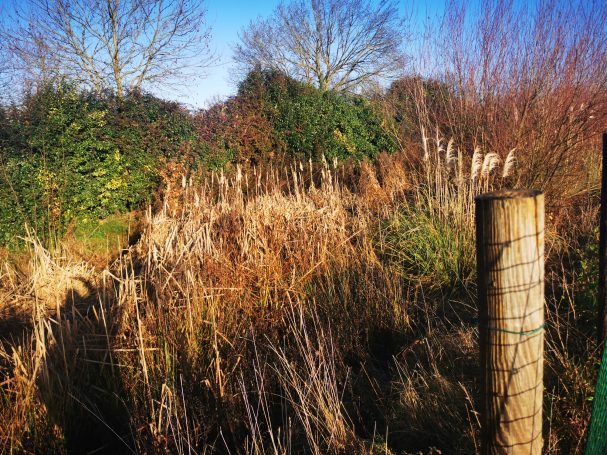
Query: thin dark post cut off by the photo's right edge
{"type": "Point", "coordinates": [602, 316]}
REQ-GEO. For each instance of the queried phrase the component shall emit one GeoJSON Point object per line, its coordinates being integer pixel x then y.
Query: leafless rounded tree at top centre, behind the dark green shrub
{"type": "Point", "coordinates": [335, 44]}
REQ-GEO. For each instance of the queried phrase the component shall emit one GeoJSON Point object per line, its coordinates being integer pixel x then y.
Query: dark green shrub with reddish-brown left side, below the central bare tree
{"type": "Point", "coordinates": [275, 118]}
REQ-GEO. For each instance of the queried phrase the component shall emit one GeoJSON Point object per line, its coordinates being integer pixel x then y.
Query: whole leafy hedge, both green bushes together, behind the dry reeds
{"type": "Point", "coordinates": [68, 156]}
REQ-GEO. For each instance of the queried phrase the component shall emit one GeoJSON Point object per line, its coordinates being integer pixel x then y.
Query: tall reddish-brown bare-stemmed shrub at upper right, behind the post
{"type": "Point", "coordinates": [524, 75]}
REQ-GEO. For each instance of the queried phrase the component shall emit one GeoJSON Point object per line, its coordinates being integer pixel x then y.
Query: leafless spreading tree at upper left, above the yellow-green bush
{"type": "Point", "coordinates": [117, 44]}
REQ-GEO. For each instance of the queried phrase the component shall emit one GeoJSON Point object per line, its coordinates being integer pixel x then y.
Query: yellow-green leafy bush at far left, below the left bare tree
{"type": "Point", "coordinates": [70, 156]}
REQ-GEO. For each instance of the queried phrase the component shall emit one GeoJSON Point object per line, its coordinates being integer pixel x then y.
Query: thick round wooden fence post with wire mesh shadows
{"type": "Point", "coordinates": [510, 263]}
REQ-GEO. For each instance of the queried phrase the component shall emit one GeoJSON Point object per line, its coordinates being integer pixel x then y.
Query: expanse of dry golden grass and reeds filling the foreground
{"type": "Point", "coordinates": [274, 311]}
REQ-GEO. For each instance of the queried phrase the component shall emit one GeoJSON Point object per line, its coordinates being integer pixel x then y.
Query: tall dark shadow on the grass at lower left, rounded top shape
{"type": "Point", "coordinates": [79, 383]}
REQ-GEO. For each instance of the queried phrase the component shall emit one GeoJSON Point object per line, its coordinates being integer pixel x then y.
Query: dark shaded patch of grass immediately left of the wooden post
{"type": "Point", "coordinates": [413, 373]}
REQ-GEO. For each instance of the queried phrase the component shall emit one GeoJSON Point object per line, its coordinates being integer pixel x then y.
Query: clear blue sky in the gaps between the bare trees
{"type": "Point", "coordinates": [227, 18]}
